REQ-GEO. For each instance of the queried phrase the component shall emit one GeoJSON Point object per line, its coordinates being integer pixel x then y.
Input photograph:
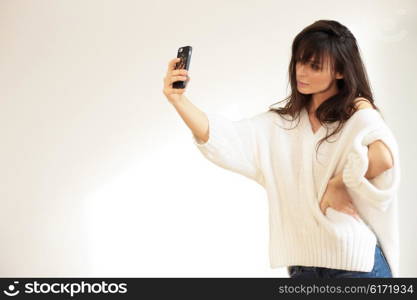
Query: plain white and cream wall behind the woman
{"type": "Point", "coordinates": [99, 175]}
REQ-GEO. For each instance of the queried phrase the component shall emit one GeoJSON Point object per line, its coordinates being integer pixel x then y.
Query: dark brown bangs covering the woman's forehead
{"type": "Point", "coordinates": [313, 49]}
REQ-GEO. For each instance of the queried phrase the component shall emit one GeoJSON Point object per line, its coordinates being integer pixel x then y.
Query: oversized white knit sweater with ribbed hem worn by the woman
{"type": "Point", "coordinates": [284, 163]}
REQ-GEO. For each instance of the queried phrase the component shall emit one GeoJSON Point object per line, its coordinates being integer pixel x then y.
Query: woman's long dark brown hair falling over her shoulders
{"type": "Point", "coordinates": [334, 40]}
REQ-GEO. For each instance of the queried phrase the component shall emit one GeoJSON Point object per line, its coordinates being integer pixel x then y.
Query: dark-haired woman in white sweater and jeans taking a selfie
{"type": "Point", "coordinates": [332, 210]}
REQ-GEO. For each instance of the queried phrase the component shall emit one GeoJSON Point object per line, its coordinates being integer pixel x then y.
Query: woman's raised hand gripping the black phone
{"type": "Point", "coordinates": [173, 75]}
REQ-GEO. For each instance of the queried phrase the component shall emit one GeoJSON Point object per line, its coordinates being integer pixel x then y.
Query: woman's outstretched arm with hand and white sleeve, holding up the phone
{"type": "Point", "coordinates": [228, 144]}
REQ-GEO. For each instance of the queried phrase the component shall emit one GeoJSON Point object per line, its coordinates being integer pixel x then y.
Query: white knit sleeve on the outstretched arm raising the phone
{"type": "Point", "coordinates": [232, 146]}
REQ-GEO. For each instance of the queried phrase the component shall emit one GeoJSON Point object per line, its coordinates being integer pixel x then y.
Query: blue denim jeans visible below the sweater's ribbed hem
{"type": "Point", "coordinates": [381, 269]}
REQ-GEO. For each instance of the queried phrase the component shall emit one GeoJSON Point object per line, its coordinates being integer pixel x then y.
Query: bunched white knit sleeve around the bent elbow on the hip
{"type": "Point", "coordinates": [378, 191]}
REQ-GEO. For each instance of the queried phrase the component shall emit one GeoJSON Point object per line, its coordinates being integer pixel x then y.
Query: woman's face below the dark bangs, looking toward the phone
{"type": "Point", "coordinates": [312, 80]}
